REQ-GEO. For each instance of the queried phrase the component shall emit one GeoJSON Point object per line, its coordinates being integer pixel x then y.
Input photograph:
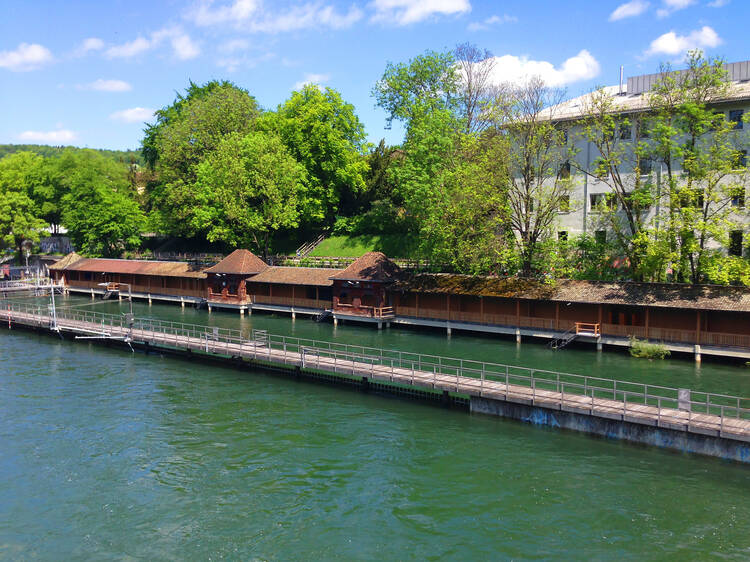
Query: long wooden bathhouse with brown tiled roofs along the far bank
{"type": "Point", "coordinates": [691, 318]}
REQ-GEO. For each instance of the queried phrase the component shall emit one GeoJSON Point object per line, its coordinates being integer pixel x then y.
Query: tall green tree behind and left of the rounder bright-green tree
{"type": "Point", "coordinates": [184, 134]}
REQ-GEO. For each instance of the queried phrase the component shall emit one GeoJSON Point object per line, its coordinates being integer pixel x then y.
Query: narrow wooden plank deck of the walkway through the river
{"type": "Point", "coordinates": [730, 422]}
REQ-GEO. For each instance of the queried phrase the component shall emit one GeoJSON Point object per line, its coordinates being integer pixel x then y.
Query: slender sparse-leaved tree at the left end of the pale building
{"type": "Point", "coordinates": [539, 167]}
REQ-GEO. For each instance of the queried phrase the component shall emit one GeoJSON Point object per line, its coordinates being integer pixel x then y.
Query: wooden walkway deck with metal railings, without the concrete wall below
{"type": "Point", "coordinates": [704, 414]}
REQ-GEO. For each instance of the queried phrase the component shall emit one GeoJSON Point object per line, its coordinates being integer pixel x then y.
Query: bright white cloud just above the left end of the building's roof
{"type": "Point", "coordinates": [510, 68]}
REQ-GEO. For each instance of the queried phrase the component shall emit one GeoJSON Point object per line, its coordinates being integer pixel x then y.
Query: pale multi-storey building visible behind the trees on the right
{"type": "Point", "coordinates": [629, 103]}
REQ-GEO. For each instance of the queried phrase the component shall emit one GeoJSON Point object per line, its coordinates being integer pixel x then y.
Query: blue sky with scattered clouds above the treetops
{"type": "Point", "coordinates": [90, 73]}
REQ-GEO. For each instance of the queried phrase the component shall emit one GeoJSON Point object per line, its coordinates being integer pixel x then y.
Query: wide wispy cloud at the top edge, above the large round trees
{"type": "Point", "coordinates": [250, 15]}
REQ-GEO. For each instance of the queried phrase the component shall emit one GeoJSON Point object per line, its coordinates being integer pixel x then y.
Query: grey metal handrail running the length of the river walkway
{"type": "Point", "coordinates": [627, 393]}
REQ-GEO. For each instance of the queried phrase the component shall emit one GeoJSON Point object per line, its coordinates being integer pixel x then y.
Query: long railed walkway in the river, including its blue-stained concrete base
{"type": "Point", "coordinates": [681, 419]}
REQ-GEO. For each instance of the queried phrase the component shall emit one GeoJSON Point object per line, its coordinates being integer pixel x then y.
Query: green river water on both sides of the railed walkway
{"type": "Point", "coordinates": [109, 454]}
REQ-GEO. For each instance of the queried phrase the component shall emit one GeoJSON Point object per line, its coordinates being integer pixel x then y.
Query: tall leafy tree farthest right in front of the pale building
{"type": "Point", "coordinates": [698, 149]}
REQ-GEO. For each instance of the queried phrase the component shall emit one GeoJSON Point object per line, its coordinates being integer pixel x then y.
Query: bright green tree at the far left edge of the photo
{"type": "Point", "coordinates": [19, 216]}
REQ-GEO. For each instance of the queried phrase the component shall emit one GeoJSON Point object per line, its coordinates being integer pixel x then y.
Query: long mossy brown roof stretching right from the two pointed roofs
{"type": "Point", "coordinates": [703, 297]}
